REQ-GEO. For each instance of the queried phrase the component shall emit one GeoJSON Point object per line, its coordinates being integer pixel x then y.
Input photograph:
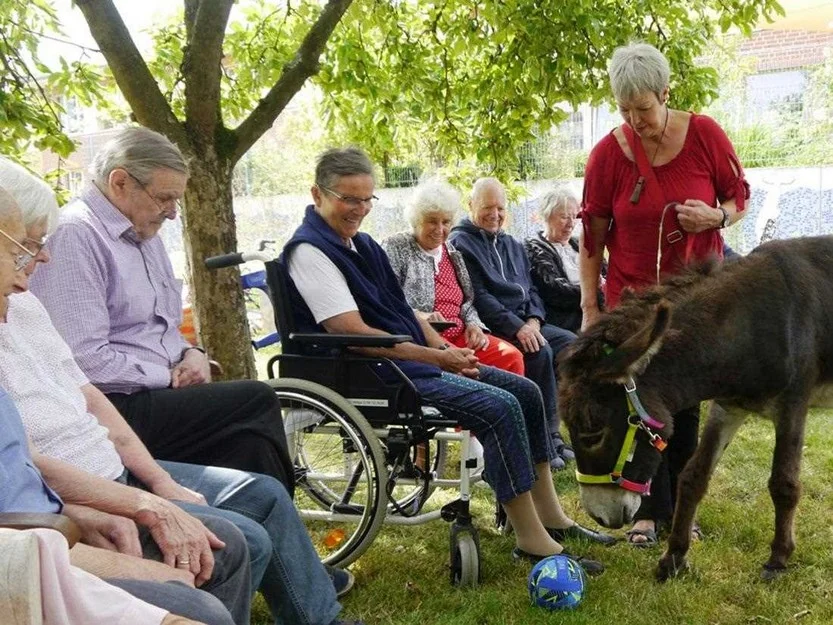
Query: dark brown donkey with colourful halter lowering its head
{"type": "Point", "coordinates": [755, 335]}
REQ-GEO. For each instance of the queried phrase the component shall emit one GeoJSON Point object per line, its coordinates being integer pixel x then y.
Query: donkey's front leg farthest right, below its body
{"type": "Point", "coordinates": [784, 484]}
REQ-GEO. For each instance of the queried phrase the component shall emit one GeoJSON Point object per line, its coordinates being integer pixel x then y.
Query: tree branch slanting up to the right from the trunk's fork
{"type": "Point", "coordinates": [293, 77]}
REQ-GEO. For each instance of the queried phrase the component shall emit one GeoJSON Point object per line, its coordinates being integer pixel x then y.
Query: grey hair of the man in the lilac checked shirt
{"type": "Point", "coordinates": [140, 151]}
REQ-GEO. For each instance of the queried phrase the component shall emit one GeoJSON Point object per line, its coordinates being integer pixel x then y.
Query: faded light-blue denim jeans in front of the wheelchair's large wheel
{"type": "Point", "coordinates": [295, 584]}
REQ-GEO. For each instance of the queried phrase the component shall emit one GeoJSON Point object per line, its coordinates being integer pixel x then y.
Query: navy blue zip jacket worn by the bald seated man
{"type": "Point", "coordinates": [503, 291]}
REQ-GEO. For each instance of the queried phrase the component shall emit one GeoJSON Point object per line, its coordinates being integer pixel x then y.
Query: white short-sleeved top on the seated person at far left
{"type": "Point", "coordinates": [38, 372]}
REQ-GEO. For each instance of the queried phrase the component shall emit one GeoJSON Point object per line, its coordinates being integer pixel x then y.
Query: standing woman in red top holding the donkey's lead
{"type": "Point", "coordinates": [657, 191]}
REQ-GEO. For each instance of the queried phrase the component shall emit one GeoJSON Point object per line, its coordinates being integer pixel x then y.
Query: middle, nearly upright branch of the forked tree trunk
{"type": "Point", "coordinates": [201, 67]}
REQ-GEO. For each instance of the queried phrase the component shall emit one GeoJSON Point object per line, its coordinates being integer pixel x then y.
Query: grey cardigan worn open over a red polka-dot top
{"type": "Point", "coordinates": [415, 270]}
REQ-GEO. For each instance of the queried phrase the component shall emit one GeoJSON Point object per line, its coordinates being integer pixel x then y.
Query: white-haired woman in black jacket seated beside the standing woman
{"type": "Point", "coordinates": [553, 257]}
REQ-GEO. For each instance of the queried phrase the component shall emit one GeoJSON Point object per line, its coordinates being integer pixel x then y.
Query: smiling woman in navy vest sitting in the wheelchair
{"type": "Point", "coordinates": [341, 282]}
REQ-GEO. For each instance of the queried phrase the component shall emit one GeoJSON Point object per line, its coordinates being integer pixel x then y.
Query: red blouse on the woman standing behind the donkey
{"type": "Point", "coordinates": [703, 170]}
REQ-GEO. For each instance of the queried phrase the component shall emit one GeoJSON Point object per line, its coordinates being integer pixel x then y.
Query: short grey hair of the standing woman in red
{"type": "Point", "coordinates": [638, 68]}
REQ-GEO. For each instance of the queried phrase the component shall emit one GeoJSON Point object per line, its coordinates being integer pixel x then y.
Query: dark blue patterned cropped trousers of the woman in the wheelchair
{"type": "Point", "coordinates": [506, 413]}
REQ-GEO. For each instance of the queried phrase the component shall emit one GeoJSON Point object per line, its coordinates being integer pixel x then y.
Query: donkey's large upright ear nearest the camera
{"type": "Point", "coordinates": [632, 356]}
